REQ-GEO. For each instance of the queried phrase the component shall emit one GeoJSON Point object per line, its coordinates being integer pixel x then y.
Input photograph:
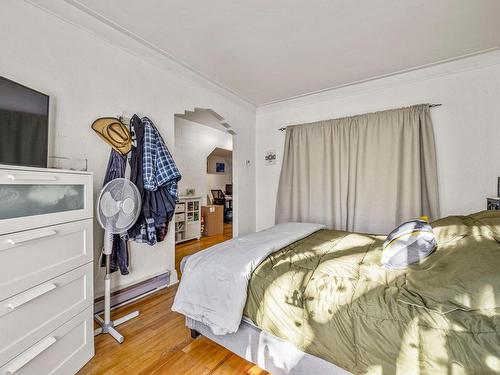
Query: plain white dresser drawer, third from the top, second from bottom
{"type": "Point", "coordinates": [29, 316]}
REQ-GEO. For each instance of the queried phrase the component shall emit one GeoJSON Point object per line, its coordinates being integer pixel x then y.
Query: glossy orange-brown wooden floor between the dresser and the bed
{"type": "Point", "coordinates": [158, 342]}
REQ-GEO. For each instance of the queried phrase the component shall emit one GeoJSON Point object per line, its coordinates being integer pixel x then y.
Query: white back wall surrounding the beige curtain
{"type": "Point", "coordinates": [467, 127]}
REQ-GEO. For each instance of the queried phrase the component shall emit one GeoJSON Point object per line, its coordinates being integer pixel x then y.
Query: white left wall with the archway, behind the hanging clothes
{"type": "Point", "coordinates": [88, 77]}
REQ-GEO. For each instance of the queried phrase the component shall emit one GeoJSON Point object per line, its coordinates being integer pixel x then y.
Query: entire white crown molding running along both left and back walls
{"type": "Point", "coordinates": [94, 23]}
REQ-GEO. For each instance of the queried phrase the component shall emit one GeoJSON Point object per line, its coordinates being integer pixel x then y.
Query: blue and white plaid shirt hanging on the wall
{"type": "Point", "coordinates": [158, 166]}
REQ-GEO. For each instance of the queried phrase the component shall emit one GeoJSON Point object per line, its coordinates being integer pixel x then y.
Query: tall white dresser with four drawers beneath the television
{"type": "Point", "coordinates": [46, 271]}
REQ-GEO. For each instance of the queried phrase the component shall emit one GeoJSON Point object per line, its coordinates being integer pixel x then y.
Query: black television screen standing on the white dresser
{"type": "Point", "coordinates": [24, 125]}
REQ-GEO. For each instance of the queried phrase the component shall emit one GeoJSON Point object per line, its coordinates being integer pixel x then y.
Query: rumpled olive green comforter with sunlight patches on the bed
{"type": "Point", "coordinates": [329, 295]}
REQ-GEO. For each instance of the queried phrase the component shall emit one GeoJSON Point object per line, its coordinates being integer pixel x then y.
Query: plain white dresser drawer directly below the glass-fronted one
{"type": "Point", "coordinates": [31, 257]}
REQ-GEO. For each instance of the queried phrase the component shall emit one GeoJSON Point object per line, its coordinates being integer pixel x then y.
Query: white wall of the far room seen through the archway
{"type": "Point", "coordinates": [193, 144]}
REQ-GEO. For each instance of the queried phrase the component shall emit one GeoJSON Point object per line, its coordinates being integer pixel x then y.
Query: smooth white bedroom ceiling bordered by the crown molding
{"type": "Point", "coordinates": [268, 51]}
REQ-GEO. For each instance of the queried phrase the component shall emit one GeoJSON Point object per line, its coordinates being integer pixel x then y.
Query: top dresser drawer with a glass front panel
{"type": "Point", "coordinates": [34, 199]}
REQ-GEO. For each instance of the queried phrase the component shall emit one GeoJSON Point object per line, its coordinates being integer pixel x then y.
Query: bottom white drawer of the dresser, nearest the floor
{"type": "Point", "coordinates": [62, 352]}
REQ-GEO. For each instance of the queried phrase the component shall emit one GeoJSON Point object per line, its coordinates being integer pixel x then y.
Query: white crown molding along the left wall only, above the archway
{"type": "Point", "coordinates": [94, 23]}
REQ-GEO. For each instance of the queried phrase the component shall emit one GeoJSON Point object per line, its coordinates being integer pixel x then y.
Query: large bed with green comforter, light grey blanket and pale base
{"type": "Point", "coordinates": [322, 303]}
